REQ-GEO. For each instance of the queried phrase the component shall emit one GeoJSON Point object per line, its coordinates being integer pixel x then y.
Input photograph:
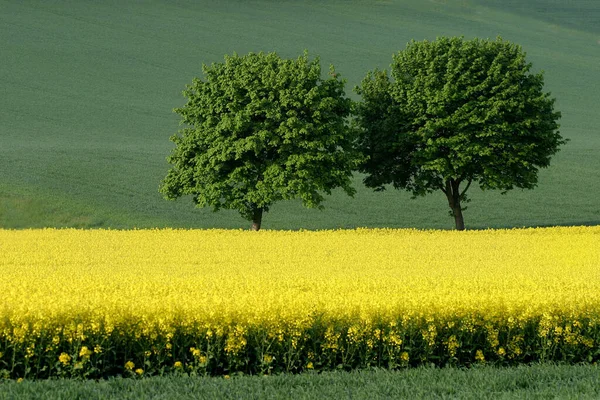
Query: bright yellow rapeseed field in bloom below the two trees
{"type": "Point", "coordinates": [218, 301]}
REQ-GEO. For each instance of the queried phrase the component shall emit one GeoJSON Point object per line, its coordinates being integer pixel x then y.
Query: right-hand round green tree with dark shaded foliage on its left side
{"type": "Point", "coordinates": [453, 113]}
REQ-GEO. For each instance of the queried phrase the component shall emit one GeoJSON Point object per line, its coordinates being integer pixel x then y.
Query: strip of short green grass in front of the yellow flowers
{"type": "Point", "coordinates": [536, 381]}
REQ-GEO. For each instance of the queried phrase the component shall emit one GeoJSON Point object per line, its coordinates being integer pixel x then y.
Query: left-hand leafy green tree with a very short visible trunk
{"type": "Point", "coordinates": [259, 129]}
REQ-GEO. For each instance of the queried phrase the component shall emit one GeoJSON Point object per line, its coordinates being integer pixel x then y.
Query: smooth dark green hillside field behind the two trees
{"type": "Point", "coordinates": [88, 90]}
